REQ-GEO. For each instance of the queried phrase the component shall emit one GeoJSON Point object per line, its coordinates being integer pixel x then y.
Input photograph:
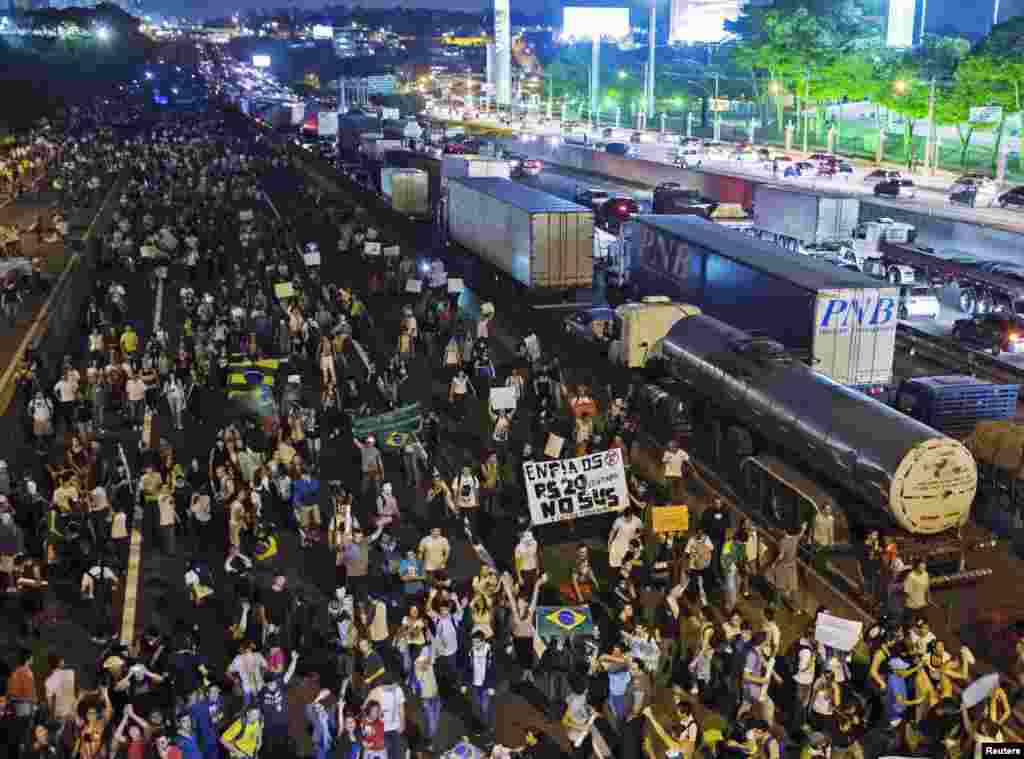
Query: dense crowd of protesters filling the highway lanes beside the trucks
{"type": "Point", "coordinates": [418, 620]}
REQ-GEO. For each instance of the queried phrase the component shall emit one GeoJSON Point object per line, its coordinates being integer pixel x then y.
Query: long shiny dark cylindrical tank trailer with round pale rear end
{"type": "Point", "coordinates": [793, 440]}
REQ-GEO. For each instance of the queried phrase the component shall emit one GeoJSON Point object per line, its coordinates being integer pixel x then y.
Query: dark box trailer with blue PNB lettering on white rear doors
{"type": "Point", "coordinates": [843, 323]}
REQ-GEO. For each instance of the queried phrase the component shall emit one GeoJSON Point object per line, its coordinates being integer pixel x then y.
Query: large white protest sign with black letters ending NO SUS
{"type": "Point", "coordinates": [559, 491]}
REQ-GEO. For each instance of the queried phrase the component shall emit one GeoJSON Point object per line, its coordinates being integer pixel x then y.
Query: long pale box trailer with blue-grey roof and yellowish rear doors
{"type": "Point", "coordinates": [540, 240]}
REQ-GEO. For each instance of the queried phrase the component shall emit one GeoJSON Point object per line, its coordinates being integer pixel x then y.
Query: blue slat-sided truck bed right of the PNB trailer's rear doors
{"type": "Point", "coordinates": [956, 404]}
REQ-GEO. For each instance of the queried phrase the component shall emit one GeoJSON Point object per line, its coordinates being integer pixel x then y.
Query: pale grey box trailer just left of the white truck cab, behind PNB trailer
{"type": "Point", "coordinates": [791, 219]}
